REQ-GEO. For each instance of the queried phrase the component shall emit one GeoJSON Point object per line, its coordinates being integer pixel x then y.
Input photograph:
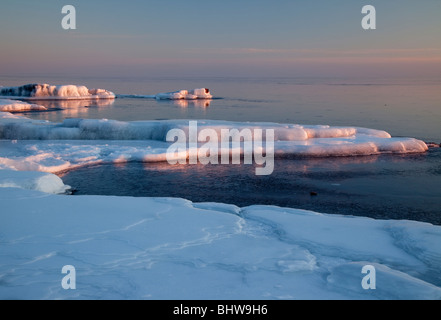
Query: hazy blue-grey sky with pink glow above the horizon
{"type": "Point", "coordinates": [221, 38]}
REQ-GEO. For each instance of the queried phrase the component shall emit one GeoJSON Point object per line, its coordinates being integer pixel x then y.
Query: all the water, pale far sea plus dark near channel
{"type": "Point", "coordinates": [396, 187]}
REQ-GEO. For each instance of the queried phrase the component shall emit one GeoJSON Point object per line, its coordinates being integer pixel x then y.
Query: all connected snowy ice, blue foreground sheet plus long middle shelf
{"type": "Point", "coordinates": [163, 248]}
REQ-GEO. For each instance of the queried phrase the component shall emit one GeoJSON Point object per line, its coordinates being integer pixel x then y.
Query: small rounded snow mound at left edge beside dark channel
{"type": "Point", "coordinates": [40, 181]}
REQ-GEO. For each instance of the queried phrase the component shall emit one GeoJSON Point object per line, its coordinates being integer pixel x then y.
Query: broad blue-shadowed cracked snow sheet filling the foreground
{"type": "Point", "coordinates": [162, 248]}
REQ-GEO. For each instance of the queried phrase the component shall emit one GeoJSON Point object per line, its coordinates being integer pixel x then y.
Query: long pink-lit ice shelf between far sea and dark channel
{"type": "Point", "coordinates": [78, 142]}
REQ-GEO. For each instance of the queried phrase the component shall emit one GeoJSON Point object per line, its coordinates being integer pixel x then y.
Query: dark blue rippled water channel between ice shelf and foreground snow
{"type": "Point", "coordinates": [381, 187]}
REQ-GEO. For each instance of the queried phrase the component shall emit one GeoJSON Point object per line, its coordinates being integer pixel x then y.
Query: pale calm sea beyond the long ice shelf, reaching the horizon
{"type": "Point", "coordinates": [405, 107]}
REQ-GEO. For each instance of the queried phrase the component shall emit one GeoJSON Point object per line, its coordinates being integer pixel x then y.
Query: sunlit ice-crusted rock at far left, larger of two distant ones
{"type": "Point", "coordinates": [62, 92]}
